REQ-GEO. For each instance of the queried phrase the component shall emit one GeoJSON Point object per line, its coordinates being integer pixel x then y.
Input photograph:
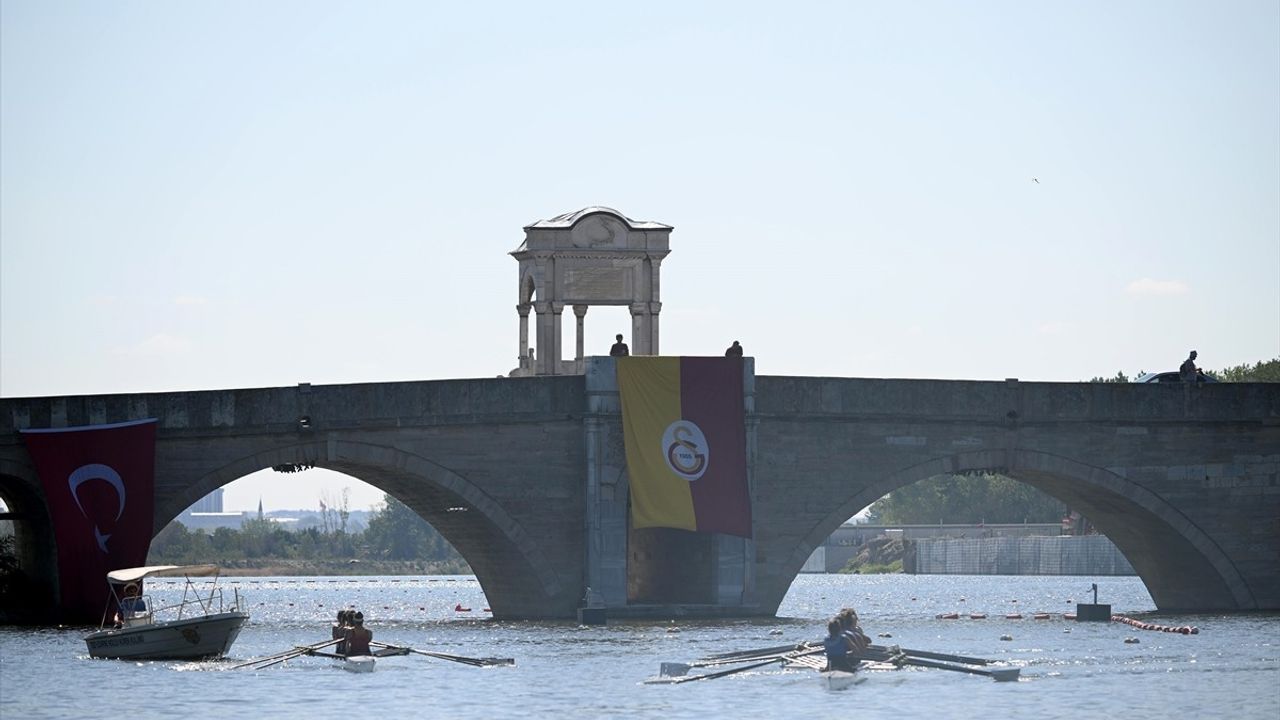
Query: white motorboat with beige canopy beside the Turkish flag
{"type": "Point", "coordinates": [198, 627]}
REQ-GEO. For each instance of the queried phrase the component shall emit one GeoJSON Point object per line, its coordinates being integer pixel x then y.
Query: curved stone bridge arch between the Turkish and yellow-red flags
{"type": "Point", "coordinates": [501, 552]}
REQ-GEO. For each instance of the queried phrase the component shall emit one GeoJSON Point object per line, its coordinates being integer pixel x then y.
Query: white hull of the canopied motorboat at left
{"type": "Point", "coordinates": [190, 639]}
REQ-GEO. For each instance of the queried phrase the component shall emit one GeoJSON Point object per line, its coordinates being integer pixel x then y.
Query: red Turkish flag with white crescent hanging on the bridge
{"type": "Point", "coordinates": [100, 487]}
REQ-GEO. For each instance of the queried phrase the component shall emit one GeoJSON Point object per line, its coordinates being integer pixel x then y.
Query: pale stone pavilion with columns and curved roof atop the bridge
{"type": "Point", "coordinates": [591, 257]}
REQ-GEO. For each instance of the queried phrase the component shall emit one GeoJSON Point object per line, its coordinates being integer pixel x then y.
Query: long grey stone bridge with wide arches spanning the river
{"type": "Point", "coordinates": [527, 476]}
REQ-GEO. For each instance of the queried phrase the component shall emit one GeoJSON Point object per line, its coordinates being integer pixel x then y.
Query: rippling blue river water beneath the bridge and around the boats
{"type": "Point", "coordinates": [1080, 671]}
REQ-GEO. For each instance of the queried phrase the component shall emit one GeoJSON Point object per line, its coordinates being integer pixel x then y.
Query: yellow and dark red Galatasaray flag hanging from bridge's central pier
{"type": "Point", "coordinates": [685, 431]}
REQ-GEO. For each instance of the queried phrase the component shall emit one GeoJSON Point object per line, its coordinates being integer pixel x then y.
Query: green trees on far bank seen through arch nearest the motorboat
{"type": "Point", "coordinates": [395, 534]}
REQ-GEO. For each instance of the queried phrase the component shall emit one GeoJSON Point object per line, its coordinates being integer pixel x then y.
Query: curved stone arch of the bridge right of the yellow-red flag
{"type": "Point", "coordinates": [1178, 562]}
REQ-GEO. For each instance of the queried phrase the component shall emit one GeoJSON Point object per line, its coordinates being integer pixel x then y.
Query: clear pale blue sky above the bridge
{"type": "Point", "coordinates": [216, 195]}
